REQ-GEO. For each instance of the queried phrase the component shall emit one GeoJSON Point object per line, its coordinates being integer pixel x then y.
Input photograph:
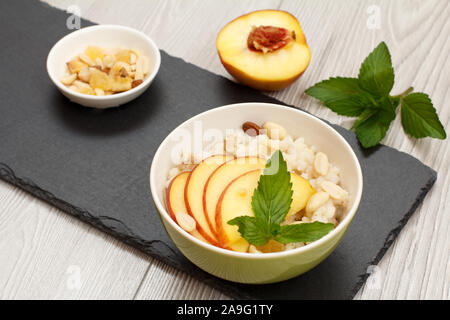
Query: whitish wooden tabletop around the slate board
{"type": "Point", "coordinates": [44, 252]}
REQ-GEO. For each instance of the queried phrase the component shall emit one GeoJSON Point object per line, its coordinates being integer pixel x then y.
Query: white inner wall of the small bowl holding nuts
{"type": "Point", "coordinates": [104, 36]}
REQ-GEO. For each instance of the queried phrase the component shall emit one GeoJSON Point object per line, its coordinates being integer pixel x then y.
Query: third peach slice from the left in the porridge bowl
{"type": "Point", "coordinates": [220, 178]}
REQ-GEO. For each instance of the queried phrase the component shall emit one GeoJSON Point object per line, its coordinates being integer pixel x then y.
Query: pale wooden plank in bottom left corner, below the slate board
{"type": "Point", "coordinates": [47, 254]}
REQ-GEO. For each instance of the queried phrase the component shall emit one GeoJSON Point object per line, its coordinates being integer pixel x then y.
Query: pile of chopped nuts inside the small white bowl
{"type": "Point", "coordinates": [101, 72]}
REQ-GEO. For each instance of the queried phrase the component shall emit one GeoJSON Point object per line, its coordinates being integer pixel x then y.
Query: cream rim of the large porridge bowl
{"type": "Point", "coordinates": [273, 255]}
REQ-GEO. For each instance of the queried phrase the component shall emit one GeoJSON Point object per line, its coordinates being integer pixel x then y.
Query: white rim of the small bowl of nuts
{"type": "Point", "coordinates": [119, 95]}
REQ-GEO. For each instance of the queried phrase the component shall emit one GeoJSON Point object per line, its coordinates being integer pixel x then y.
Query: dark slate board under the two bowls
{"type": "Point", "coordinates": [95, 164]}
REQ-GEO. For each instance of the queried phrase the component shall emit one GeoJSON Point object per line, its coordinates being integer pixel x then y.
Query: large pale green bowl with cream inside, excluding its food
{"type": "Point", "coordinates": [247, 267]}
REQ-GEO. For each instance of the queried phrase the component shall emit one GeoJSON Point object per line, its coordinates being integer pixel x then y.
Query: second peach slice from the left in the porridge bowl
{"type": "Point", "coordinates": [193, 193]}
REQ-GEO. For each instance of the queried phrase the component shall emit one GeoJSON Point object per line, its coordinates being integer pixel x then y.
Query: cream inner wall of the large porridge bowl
{"type": "Point", "coordinates": [297, 124]}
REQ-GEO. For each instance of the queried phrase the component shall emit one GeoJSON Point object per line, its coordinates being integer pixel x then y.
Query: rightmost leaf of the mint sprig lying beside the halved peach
{"type": "Point", "coordinates": [419, 118]}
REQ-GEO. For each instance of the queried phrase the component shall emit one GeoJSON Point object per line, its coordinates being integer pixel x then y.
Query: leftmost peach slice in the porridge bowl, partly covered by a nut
{"type": "Point", "coordinates": [175, 199]}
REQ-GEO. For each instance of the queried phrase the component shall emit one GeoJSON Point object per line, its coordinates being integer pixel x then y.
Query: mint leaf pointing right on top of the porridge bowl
{"type": "Point", "coordinates": [303, 232]}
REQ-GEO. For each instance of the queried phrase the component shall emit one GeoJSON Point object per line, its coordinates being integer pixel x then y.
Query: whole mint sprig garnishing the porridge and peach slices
{"type": "Point", "coordinates": [271, 202]}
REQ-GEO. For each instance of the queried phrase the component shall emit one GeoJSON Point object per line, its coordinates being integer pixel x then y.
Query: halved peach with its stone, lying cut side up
{"type": "Point", "coordinates": [264, 49]}
